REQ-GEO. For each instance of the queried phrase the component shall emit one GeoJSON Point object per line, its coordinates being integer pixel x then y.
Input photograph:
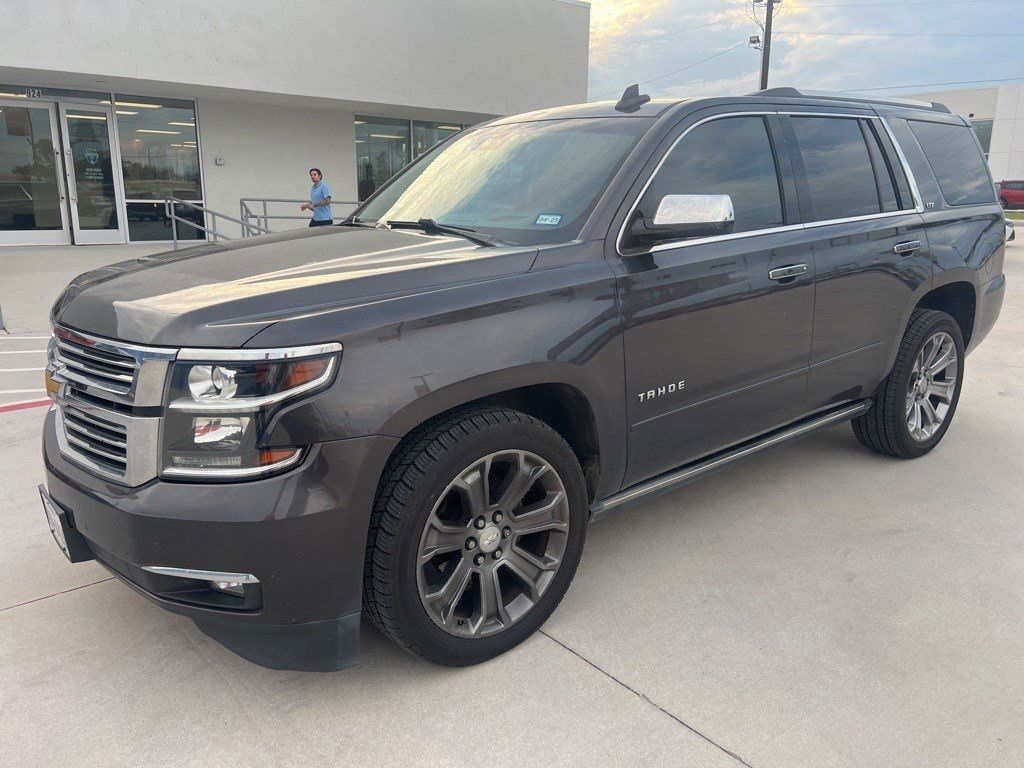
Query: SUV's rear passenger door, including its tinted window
{"type": "Point", "coordinates": [870, 248]}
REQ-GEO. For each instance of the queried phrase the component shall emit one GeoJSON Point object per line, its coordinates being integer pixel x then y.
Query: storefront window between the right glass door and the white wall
{"type": "Point", "coordinates": [159, 158]}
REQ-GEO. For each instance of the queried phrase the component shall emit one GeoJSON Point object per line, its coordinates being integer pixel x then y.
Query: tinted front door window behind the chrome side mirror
{"type": "Point", "coordinates": [732, 156]}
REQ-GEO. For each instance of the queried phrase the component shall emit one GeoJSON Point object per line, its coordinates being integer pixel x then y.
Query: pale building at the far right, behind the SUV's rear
{"type": "Point", "coordinates": [998, 115]}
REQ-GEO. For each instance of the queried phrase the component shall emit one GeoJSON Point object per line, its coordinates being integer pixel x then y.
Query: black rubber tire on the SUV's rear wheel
{"type": "Point", "coordinates": [884, 429]}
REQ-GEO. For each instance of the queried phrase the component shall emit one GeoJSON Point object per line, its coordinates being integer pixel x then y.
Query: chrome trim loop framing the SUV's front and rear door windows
{"type": "Point", "coordinates": [915, 191]}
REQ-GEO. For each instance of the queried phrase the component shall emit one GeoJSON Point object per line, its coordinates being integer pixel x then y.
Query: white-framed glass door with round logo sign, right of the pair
{"type": "Point", "coordinates": [94, 172]}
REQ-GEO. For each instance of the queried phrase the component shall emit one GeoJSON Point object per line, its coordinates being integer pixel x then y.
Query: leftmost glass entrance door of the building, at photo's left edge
{"type": "Point", "coordinates": [33, 209]}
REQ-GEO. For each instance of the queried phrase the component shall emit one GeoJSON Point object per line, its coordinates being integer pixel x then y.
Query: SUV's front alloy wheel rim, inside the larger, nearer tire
{"type": "Point", "coordinates": [493, 544]}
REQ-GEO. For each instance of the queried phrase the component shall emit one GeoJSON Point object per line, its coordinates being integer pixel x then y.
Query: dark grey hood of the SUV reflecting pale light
{"type": "Point", "coordinates": [223, 295]}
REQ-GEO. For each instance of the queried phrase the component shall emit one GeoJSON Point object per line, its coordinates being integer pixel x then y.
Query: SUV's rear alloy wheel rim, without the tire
{"type": "Point", "coordinates": [932, 387]}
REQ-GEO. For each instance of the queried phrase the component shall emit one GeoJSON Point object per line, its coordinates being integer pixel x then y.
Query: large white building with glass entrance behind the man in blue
{"type": "Point", "coordinates": [107, 106]}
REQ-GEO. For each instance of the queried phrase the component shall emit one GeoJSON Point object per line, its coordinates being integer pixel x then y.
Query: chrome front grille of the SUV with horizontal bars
{"type": "Point", "coordinates": [102, 386]}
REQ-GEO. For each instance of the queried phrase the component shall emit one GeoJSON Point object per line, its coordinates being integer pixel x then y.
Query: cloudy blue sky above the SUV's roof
{"type": "Point", "coordinates": [835, 46]}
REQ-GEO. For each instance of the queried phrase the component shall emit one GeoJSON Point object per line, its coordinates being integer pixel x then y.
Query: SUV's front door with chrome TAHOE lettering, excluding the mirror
{"type": "Point", "coordinates": [717, 338]}
